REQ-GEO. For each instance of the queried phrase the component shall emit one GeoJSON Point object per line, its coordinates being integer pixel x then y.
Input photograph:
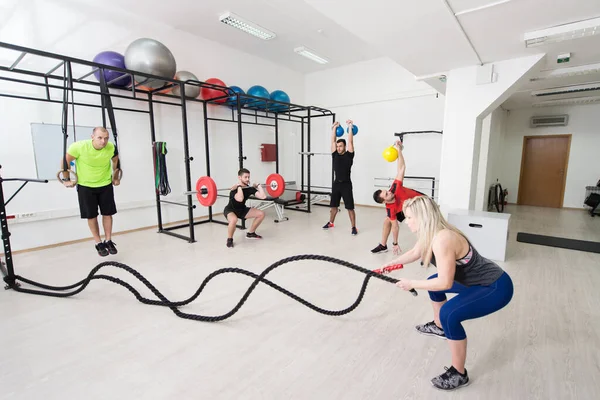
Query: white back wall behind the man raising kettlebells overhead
{"type": "Point", "coordinates": [381, 98]}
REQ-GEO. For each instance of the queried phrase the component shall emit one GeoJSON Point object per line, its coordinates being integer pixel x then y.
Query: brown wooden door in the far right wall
{"type": "Point", "coordinates": [544, 170]}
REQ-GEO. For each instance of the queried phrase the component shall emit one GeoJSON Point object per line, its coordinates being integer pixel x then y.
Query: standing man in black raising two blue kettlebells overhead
{"type": "Point", "coordinates": [342, 184]}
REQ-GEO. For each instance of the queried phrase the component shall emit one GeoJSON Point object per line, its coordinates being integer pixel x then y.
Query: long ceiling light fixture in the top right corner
{"type": "Point", "coordinates": [561, 33]}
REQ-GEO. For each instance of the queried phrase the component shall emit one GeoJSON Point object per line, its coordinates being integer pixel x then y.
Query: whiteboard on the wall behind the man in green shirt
{"type": "Point", "coordinates": [48, 146]}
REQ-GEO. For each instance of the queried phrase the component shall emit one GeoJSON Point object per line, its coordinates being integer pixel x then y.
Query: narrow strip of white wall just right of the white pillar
{"type": "Point", "coordinates": [490, 156]}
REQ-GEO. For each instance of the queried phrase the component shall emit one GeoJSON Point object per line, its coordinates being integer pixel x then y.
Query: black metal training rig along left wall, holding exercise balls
{"type": "Point", "coordinates": [291, 112]}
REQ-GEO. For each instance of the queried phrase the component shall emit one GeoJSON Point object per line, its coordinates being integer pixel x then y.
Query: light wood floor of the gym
{"type": "Point", "coordinates": [104, 344]}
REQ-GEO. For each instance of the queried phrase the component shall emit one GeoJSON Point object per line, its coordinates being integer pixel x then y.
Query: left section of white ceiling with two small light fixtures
{"type": "Point", "coordinates": [294, 22]}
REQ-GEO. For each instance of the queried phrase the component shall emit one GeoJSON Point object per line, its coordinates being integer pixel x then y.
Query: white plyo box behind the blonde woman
{"type": "Point", "coordinates": [487, 231]}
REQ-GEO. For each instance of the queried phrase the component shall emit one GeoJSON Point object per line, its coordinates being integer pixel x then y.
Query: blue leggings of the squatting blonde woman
{"type": "Point", "coordinates": [470, 303]}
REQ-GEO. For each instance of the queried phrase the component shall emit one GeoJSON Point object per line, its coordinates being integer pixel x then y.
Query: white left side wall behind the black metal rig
{"type": "Point", "coordinates": [202, 57]}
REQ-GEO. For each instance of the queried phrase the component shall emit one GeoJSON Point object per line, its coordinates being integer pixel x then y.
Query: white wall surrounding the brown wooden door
{"type": "Point", "coordinates": [584, 163]}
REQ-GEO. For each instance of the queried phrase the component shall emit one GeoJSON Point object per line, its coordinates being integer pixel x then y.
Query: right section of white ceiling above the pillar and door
{"type": "Point", "coordinates": [431, 37]}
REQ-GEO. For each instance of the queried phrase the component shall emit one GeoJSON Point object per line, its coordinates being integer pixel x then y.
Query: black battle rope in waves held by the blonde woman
{"type": "Point", "coordinates": [173, 305]}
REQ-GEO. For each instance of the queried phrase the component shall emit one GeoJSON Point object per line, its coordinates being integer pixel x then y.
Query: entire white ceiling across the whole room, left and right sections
{"type": "Point", "coordinates": [426, 37]}
